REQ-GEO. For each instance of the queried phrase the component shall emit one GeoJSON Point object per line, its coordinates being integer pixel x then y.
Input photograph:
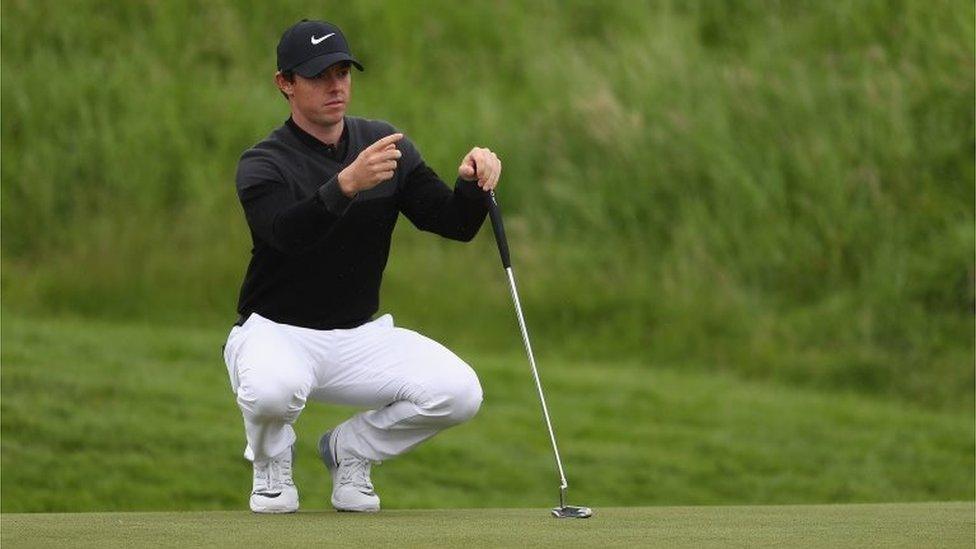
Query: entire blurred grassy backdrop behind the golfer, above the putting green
{"type": "Point", "coordinates": [743, 231]}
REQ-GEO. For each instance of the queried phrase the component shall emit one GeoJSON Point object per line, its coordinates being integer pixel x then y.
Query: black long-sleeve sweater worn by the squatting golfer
{"type": "Point", "coordinates": [318, 256]}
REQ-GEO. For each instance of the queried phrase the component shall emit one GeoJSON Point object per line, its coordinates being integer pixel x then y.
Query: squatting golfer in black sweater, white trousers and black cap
{"type": "Point", "coordinates": [321, 195]}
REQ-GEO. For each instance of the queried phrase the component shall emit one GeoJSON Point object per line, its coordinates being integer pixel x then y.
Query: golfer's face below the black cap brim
{"type": "Point", "coordinates": [322, 99]}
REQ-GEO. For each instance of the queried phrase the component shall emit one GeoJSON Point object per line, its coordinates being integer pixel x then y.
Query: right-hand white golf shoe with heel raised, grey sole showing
{"type": "Point", "coordinates": [352, 490]}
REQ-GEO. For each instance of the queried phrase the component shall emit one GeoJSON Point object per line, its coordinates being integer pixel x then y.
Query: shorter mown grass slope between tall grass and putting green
{"type": "Point", "coordinates": [104, 416]}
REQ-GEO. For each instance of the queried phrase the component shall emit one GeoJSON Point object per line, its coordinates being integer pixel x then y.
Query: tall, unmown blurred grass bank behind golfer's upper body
{"type": "Point", "coordinates": [780, 190]}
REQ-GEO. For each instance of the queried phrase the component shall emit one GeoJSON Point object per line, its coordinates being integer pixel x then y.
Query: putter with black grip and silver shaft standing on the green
{"type": "Point", "coordinates": [563, 511]}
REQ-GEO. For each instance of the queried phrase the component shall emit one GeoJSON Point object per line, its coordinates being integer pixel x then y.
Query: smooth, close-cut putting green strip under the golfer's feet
{"type": "Point", "coordinates": [893, 525]}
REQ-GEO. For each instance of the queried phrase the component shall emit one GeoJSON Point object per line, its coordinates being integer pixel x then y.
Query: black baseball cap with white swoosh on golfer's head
{"type": "Point", "coordinates": [310, 47]}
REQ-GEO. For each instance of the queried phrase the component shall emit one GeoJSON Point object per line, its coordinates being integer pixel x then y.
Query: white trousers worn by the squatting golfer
{"type": "Point", "coordinates": [413, 386]}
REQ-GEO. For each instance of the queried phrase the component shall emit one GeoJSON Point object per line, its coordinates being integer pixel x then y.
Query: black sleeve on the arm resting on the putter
{"type": "Point", "coordinates": [431, 205]}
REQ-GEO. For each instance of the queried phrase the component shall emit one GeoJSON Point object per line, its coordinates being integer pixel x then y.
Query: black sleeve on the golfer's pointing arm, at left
{"type": "Point", "coordinates": [275, 215]}
